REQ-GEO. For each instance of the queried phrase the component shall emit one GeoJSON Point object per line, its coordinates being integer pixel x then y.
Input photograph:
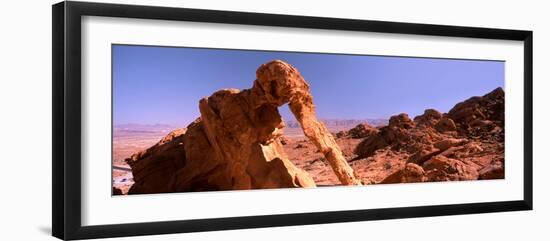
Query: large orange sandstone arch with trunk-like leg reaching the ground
{"type": "Point", "coordinates": [236, 143]}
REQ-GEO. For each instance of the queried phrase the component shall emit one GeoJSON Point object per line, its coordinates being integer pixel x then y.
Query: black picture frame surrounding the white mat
{"type": "Point", "coordinates": [66, 47]}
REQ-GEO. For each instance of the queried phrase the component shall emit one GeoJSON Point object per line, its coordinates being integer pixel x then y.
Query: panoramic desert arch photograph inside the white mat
{"type": "Point", "coordinates": [187, 119]}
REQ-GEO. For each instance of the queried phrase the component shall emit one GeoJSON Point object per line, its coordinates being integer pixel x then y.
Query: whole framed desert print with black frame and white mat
{"type": "Point", "coordinates": [170, 120]}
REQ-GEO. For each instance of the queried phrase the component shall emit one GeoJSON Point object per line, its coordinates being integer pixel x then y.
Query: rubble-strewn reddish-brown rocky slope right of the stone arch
{"type": "Point", "coordinates": [465, 144]}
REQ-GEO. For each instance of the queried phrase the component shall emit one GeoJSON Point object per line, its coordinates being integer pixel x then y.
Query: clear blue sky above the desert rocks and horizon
{"type": "Point", "coordinates": [163, 85]}
